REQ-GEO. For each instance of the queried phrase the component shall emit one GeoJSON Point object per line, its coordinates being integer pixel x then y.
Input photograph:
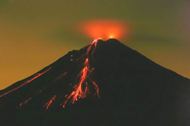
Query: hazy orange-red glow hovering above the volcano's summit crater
{"type": "Point", "coordinates": [104, 29]}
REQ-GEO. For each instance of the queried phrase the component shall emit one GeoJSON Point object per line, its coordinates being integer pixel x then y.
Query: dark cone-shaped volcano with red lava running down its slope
{"type": "Point", "coordinates": [103, 84]}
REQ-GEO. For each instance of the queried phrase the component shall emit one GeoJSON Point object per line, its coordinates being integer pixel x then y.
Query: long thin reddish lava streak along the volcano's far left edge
{"type": "Point", "coordinates": [26, 82]}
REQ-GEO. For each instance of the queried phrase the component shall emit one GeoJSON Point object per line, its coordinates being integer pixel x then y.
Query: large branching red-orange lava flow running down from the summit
{"type": "Point", "coordinates": [82, 87]}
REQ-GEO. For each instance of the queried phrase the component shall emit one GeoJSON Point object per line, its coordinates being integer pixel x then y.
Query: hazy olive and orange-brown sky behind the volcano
{"type": "Point", "coordinates": [34, 33]}
